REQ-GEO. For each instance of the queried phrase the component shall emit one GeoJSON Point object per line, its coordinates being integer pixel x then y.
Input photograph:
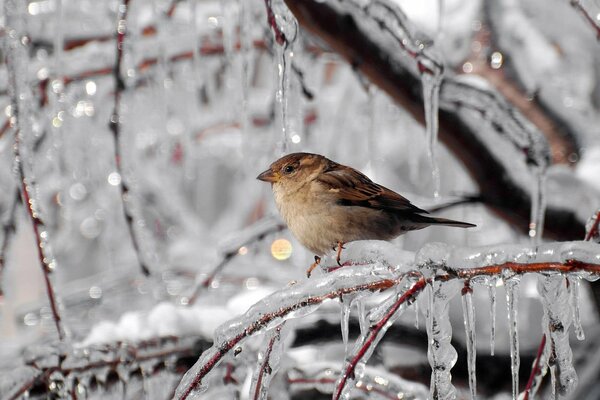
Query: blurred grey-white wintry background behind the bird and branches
{"type": "Point", "coordinates": [209, 100]}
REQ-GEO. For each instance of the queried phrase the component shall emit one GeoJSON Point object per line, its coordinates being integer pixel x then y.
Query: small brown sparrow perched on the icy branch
{"type": "Point", "coordinates": [326, 205]}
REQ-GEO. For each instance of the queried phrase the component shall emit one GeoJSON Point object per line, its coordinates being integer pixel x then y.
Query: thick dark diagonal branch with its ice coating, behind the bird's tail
{"type": "Point", "coordinates": [368, 47]}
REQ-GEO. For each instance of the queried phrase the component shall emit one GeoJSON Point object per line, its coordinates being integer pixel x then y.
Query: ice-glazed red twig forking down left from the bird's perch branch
{"type": "Point", "coordinates": [374, 331]}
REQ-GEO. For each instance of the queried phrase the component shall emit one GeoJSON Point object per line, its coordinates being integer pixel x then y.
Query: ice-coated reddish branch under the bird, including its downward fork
{"type": "Point", "coordinates": [446, 263]}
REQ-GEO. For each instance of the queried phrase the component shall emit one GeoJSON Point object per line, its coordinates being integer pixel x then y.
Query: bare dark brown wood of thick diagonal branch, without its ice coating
{"type": "Point", "coordinates": [497, 185]}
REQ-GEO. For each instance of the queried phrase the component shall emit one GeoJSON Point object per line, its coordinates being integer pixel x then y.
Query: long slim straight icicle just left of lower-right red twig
{"type": "Point", "coordinates": [512, 302]}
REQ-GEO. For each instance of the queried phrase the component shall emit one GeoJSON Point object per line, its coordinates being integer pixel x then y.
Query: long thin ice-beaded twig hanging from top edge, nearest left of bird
{"type": "Point", "coordinates": [115, 126]}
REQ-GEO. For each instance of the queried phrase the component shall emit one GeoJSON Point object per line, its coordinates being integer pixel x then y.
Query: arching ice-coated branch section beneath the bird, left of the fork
{"type": "Point", "coordinates": [274, 308]}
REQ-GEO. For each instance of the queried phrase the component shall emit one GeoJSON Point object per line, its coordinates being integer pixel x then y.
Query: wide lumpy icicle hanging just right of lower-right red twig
{"type": "Point", "coordinates": [556, 323]}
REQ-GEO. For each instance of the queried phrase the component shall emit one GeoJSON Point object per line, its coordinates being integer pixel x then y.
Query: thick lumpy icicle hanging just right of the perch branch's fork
{"type": "Point", "coordinates": [441, 354]}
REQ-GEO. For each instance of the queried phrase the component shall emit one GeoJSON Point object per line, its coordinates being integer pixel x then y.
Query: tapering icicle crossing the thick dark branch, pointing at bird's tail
{"type": "Point", "coordinates": [431, 88]}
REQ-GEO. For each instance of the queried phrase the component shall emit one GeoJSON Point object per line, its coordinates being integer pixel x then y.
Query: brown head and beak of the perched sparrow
{"type": "Point", "coordinates": [294, 170]}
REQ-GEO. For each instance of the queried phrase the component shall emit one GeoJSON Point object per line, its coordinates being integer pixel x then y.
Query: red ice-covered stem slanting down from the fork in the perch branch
{"type": "Point", "coordinates": [374, 335]}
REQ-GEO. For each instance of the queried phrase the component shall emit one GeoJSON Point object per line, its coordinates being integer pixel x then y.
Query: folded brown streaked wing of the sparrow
{"type": "Point", "coordinates": [353, 188]}
